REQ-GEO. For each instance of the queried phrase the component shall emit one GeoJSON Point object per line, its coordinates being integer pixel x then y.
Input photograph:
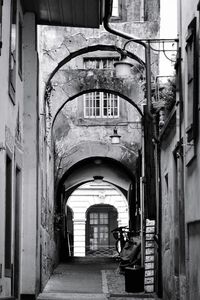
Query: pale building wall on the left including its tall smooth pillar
{"type": "Point", "coordinates": [19, 140]}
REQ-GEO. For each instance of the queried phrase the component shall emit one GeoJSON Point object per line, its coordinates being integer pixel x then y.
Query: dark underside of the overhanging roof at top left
{"type": "Point", "coordinates": [76, 13]}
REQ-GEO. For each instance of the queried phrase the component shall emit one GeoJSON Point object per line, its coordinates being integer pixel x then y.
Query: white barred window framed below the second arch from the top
{"type": "Point", "coordinates": [101, 105]}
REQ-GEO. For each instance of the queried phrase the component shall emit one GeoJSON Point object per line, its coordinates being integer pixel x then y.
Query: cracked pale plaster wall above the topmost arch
{"type": "Point", "coordinates": [56, 43]}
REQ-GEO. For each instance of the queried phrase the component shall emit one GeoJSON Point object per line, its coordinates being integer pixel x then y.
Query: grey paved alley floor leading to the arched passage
{"type": "Point", "coordinates": [88, 280]}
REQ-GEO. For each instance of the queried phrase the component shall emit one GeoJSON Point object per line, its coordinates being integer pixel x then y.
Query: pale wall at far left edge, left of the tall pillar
{"type": "Point", "coordinates": [10, 139]}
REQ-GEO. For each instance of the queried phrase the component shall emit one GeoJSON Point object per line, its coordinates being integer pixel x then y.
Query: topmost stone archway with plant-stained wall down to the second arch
{"type": "Point", "coordinates": [65, 85]}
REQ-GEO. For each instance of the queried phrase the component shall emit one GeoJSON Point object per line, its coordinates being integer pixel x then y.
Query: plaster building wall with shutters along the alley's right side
{"type": "Point", "coordinates": [180, 166]}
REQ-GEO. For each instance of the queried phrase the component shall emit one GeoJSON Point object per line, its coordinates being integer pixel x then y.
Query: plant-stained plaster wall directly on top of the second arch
{"type": "Point", "coordinates": [67, 84]}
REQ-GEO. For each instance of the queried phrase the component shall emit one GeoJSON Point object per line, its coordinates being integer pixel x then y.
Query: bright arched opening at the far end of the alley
{"type": "Point", "coordinates": [98, 208]}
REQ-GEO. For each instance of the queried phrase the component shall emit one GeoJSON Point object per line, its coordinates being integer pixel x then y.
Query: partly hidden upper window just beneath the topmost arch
{"type": "Point", "coordinates": [99, 62]}
